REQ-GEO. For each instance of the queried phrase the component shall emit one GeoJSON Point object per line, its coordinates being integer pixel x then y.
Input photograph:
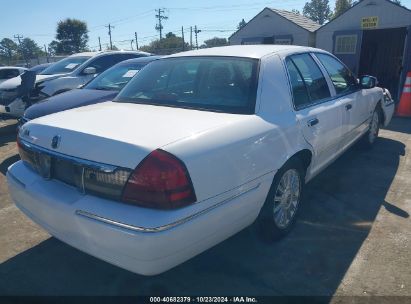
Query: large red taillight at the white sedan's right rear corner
{"type": "Point", "coordinates": [161, 181]}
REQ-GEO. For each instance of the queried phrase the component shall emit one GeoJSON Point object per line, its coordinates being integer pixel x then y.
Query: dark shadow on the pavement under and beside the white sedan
{"type": "Point", "coordinates": [336, 217]}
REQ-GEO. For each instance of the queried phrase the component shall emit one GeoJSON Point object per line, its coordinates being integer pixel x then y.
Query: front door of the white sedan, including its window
{"type": "Point", "coordinates": [354, 101]}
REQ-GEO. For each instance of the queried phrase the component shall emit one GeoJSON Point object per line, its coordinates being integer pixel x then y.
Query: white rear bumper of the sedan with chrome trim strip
{"type": "Point", "coordinates": [138, 239]}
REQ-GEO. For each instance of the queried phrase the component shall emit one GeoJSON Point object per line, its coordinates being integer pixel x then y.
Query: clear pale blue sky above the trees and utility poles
{"type": "Point", "coordinates": [38, 19]}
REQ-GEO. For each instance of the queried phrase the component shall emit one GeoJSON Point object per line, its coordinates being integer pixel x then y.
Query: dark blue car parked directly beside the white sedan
{"type": "Point", "coordinates": [102, 88]}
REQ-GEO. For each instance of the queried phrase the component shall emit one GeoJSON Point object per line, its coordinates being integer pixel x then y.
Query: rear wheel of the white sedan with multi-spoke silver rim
{"type": "Point", "coordinates": [280, 209]}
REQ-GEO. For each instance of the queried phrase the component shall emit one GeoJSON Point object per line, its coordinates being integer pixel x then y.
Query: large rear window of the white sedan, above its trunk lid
{"type": "Point", "coordinates": [223, 84]}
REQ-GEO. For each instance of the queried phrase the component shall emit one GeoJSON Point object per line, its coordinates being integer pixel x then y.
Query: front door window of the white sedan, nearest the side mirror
{"type": "Point", "coordinates": [341, 77]}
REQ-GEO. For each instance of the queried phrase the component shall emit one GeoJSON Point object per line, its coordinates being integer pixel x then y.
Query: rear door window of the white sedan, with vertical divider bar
{"type": "Point", "coordinates": [308, 83]}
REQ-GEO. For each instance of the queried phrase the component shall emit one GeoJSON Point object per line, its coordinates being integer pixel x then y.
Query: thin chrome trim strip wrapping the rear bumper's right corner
{"type": "Point", "coordinates": [164, 227]}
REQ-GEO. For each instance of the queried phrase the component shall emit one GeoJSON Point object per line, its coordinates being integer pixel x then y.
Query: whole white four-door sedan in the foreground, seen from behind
{"type": "Point", "coordinates": [194, 149]}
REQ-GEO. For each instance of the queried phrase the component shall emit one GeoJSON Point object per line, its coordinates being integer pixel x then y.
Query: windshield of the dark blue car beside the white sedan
{"type": "Point", "coordinates": [114, 79]}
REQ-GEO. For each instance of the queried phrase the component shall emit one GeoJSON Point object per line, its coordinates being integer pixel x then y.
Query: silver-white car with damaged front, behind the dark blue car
{"type": "Point", "coordinates": [62, 76]}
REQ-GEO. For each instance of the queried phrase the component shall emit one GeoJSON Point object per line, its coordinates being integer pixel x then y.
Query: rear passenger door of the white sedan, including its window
{"type": "Point", "coordinates": [319, 115]}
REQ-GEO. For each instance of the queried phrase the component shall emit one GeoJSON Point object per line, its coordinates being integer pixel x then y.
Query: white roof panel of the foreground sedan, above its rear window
{"type": "Point", "coordinates": [248, 51]}
